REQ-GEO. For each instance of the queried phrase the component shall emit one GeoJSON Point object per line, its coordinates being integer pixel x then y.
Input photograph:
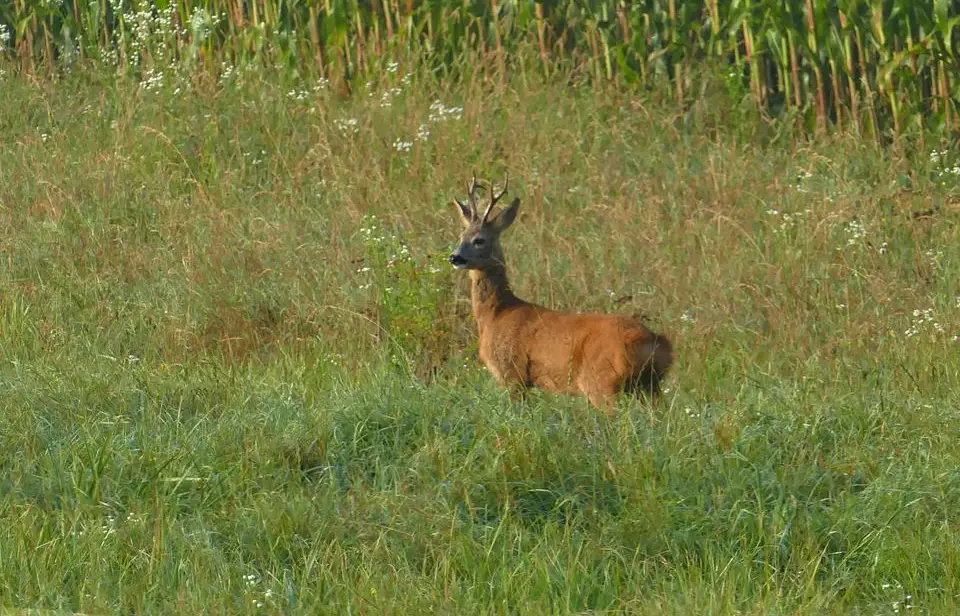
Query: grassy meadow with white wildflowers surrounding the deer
{"type": "Point", "coordinates": [238, 374]}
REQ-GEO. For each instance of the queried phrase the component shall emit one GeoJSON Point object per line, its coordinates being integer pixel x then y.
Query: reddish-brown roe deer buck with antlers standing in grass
{"type": "Point", "coordinates": [524, 345]}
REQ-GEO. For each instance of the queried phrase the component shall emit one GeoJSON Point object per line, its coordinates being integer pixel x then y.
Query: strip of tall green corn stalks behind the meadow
{"type": "Point", "coordinates": [876, 66]}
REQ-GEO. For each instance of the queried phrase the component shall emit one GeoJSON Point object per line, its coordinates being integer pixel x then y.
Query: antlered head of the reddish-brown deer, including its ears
{"type": "Point", "coordinates": [480, 242]}
